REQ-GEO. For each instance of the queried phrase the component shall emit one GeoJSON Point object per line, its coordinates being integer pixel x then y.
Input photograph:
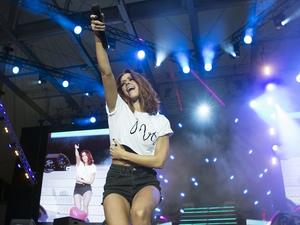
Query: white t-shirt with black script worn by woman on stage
{"type": "Point", "coordinates": [137, 130]}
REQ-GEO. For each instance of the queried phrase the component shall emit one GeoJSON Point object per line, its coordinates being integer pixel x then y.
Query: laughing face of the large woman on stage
{"type": "Point", "coordinates": [129, 87]}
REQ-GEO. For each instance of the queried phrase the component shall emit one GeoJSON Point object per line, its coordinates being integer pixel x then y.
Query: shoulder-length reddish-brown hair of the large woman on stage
{"type": "Point", "coordinates": [147, 97]}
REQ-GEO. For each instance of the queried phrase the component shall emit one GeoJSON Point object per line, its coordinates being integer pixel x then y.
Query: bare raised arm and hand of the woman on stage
{"type": "Point", "coordinates": [108, 79]}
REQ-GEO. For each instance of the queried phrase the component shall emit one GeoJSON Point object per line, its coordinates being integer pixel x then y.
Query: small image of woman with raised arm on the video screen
{"type": "Point", "coordinates": [85, 176]}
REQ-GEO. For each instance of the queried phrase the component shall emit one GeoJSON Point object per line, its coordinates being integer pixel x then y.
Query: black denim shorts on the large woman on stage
{"type": "Point", "coordinates": [128, 180]}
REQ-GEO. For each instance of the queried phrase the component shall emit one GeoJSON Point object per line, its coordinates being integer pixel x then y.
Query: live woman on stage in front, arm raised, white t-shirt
{"type": "Point", "coordinates": [139, 142]}
